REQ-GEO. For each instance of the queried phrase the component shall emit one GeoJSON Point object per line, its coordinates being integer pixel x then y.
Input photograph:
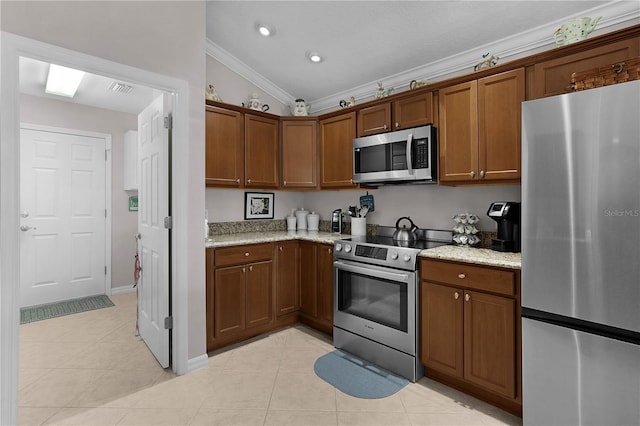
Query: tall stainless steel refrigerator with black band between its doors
{"type": "Point", "coordinates": [581, 258]}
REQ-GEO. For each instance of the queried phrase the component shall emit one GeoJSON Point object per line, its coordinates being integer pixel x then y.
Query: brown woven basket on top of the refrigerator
{"type": "Point", "coordinates": [619, 72]}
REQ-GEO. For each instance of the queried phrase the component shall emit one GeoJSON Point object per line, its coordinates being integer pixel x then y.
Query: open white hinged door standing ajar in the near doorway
{"type": "Point", "coordinates": [153, 242]}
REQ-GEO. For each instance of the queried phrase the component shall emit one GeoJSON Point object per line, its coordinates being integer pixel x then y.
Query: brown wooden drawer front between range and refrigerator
{"type": "Point", "coordinates": [469, 276]}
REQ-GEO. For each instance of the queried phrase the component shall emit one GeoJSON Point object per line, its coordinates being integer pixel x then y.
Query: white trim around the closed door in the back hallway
{"type": "Point", "coordinates": [107, 187]}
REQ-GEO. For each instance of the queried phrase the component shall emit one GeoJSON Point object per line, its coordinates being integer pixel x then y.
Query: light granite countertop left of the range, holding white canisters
{"type": "Point", "coordinates": [268, 237]}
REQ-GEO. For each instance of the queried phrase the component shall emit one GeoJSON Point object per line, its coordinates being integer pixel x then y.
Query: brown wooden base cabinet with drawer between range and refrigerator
{"type": "Point", "coordinates": [470, 330]}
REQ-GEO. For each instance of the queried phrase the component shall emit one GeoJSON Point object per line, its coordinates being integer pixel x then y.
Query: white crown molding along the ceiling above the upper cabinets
{"type": "Point", "coordinates": [519, 45]}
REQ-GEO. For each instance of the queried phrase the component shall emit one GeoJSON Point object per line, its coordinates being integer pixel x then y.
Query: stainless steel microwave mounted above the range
{"type": "Point", "coordinates": [403, 156]}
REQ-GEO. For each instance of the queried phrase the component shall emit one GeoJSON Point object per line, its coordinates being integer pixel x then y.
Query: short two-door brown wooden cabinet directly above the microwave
{"type": "Point", "coordinates": [405, 112]}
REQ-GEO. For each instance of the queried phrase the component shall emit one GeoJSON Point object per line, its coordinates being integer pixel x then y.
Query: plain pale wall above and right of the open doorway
{"type": "Point", "coordinates": [164, 37]}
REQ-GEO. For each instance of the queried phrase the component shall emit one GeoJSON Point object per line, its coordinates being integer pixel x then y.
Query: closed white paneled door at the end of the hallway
{"type": "Point", "coordinates": [63, 216]}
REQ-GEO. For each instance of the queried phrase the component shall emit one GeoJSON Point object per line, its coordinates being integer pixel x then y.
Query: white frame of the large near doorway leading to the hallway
{"type": "Point", "coordinates": [14, 46]}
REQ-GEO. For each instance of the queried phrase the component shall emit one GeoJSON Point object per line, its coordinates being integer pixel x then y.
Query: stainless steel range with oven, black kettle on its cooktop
{"type": "Point", "coordinates": [376, 298]}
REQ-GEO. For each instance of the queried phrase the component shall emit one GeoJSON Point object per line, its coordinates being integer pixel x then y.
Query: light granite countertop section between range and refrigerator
{"type": "Point", "coordinates": [478, 256]}
